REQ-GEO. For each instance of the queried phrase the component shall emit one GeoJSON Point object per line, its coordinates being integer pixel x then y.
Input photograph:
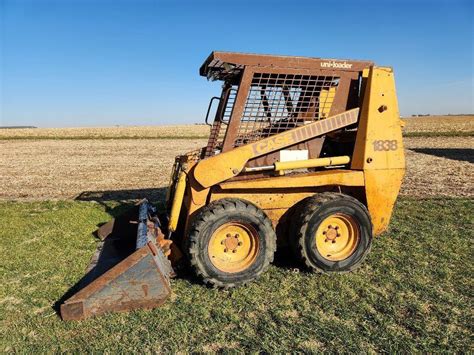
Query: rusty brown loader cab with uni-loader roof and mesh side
{"type": "Point", "coordinates": [272, 94]}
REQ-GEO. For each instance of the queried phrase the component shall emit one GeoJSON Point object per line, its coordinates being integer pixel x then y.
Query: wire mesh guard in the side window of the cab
{"type": "Point", "coordinates": [279, 102]}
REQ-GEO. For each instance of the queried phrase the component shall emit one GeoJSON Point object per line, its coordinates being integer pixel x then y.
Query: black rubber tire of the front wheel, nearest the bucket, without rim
{"type": "Point", "coordinates": [212, 217]}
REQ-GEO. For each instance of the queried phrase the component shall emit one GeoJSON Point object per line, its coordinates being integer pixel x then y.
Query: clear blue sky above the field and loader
{"type": "Point", "coordinates": [103, 62]}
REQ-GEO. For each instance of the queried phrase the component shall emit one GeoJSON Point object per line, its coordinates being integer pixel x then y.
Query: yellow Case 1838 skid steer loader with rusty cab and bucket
{"type": "Point", "coordinates": [303, 152]}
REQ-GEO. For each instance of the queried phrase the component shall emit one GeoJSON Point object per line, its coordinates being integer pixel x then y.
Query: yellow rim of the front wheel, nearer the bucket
{"type": "Point", "coordinates": [233, 247]}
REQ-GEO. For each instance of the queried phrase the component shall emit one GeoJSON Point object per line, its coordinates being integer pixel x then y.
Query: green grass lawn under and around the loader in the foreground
{"type": "Point", "coordinates": [413, 293]}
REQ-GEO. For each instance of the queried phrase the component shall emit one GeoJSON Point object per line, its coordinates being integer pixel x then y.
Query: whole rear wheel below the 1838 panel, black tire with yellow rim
{"type": "Point", "coordinates": [331, 232]}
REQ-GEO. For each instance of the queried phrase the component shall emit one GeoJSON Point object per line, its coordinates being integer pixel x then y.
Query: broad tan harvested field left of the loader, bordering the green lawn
{"type": "Point", "coordinates": [61, 169]}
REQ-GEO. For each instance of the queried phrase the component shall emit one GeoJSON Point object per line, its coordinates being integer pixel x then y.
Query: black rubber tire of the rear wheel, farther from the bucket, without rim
{"type": "Point", "coordinates": [310, 213]}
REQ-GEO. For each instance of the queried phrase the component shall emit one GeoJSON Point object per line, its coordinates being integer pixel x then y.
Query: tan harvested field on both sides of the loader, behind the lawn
{"type": "Point", "coordinates": [130, 168]}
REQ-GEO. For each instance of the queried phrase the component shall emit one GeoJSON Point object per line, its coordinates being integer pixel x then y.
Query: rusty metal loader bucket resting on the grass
{"type": "Point", "coordinates": [128, 271]}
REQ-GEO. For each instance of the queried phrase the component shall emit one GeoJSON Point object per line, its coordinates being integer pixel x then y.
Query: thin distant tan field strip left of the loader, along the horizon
{"type": "Point", "coordinates": [173, 131]}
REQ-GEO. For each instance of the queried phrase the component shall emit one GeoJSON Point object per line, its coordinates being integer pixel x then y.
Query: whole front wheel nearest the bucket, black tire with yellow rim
{"type": "Point", "coordinates": [231, 242]}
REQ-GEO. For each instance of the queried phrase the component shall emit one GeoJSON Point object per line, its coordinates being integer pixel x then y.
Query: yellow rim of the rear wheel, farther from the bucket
{"type": "Point", "coordinates": [337, 237]}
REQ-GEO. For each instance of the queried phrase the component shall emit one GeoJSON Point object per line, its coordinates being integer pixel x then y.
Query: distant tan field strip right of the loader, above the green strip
{"type": "Point", "coordinates": [439, 124]}
